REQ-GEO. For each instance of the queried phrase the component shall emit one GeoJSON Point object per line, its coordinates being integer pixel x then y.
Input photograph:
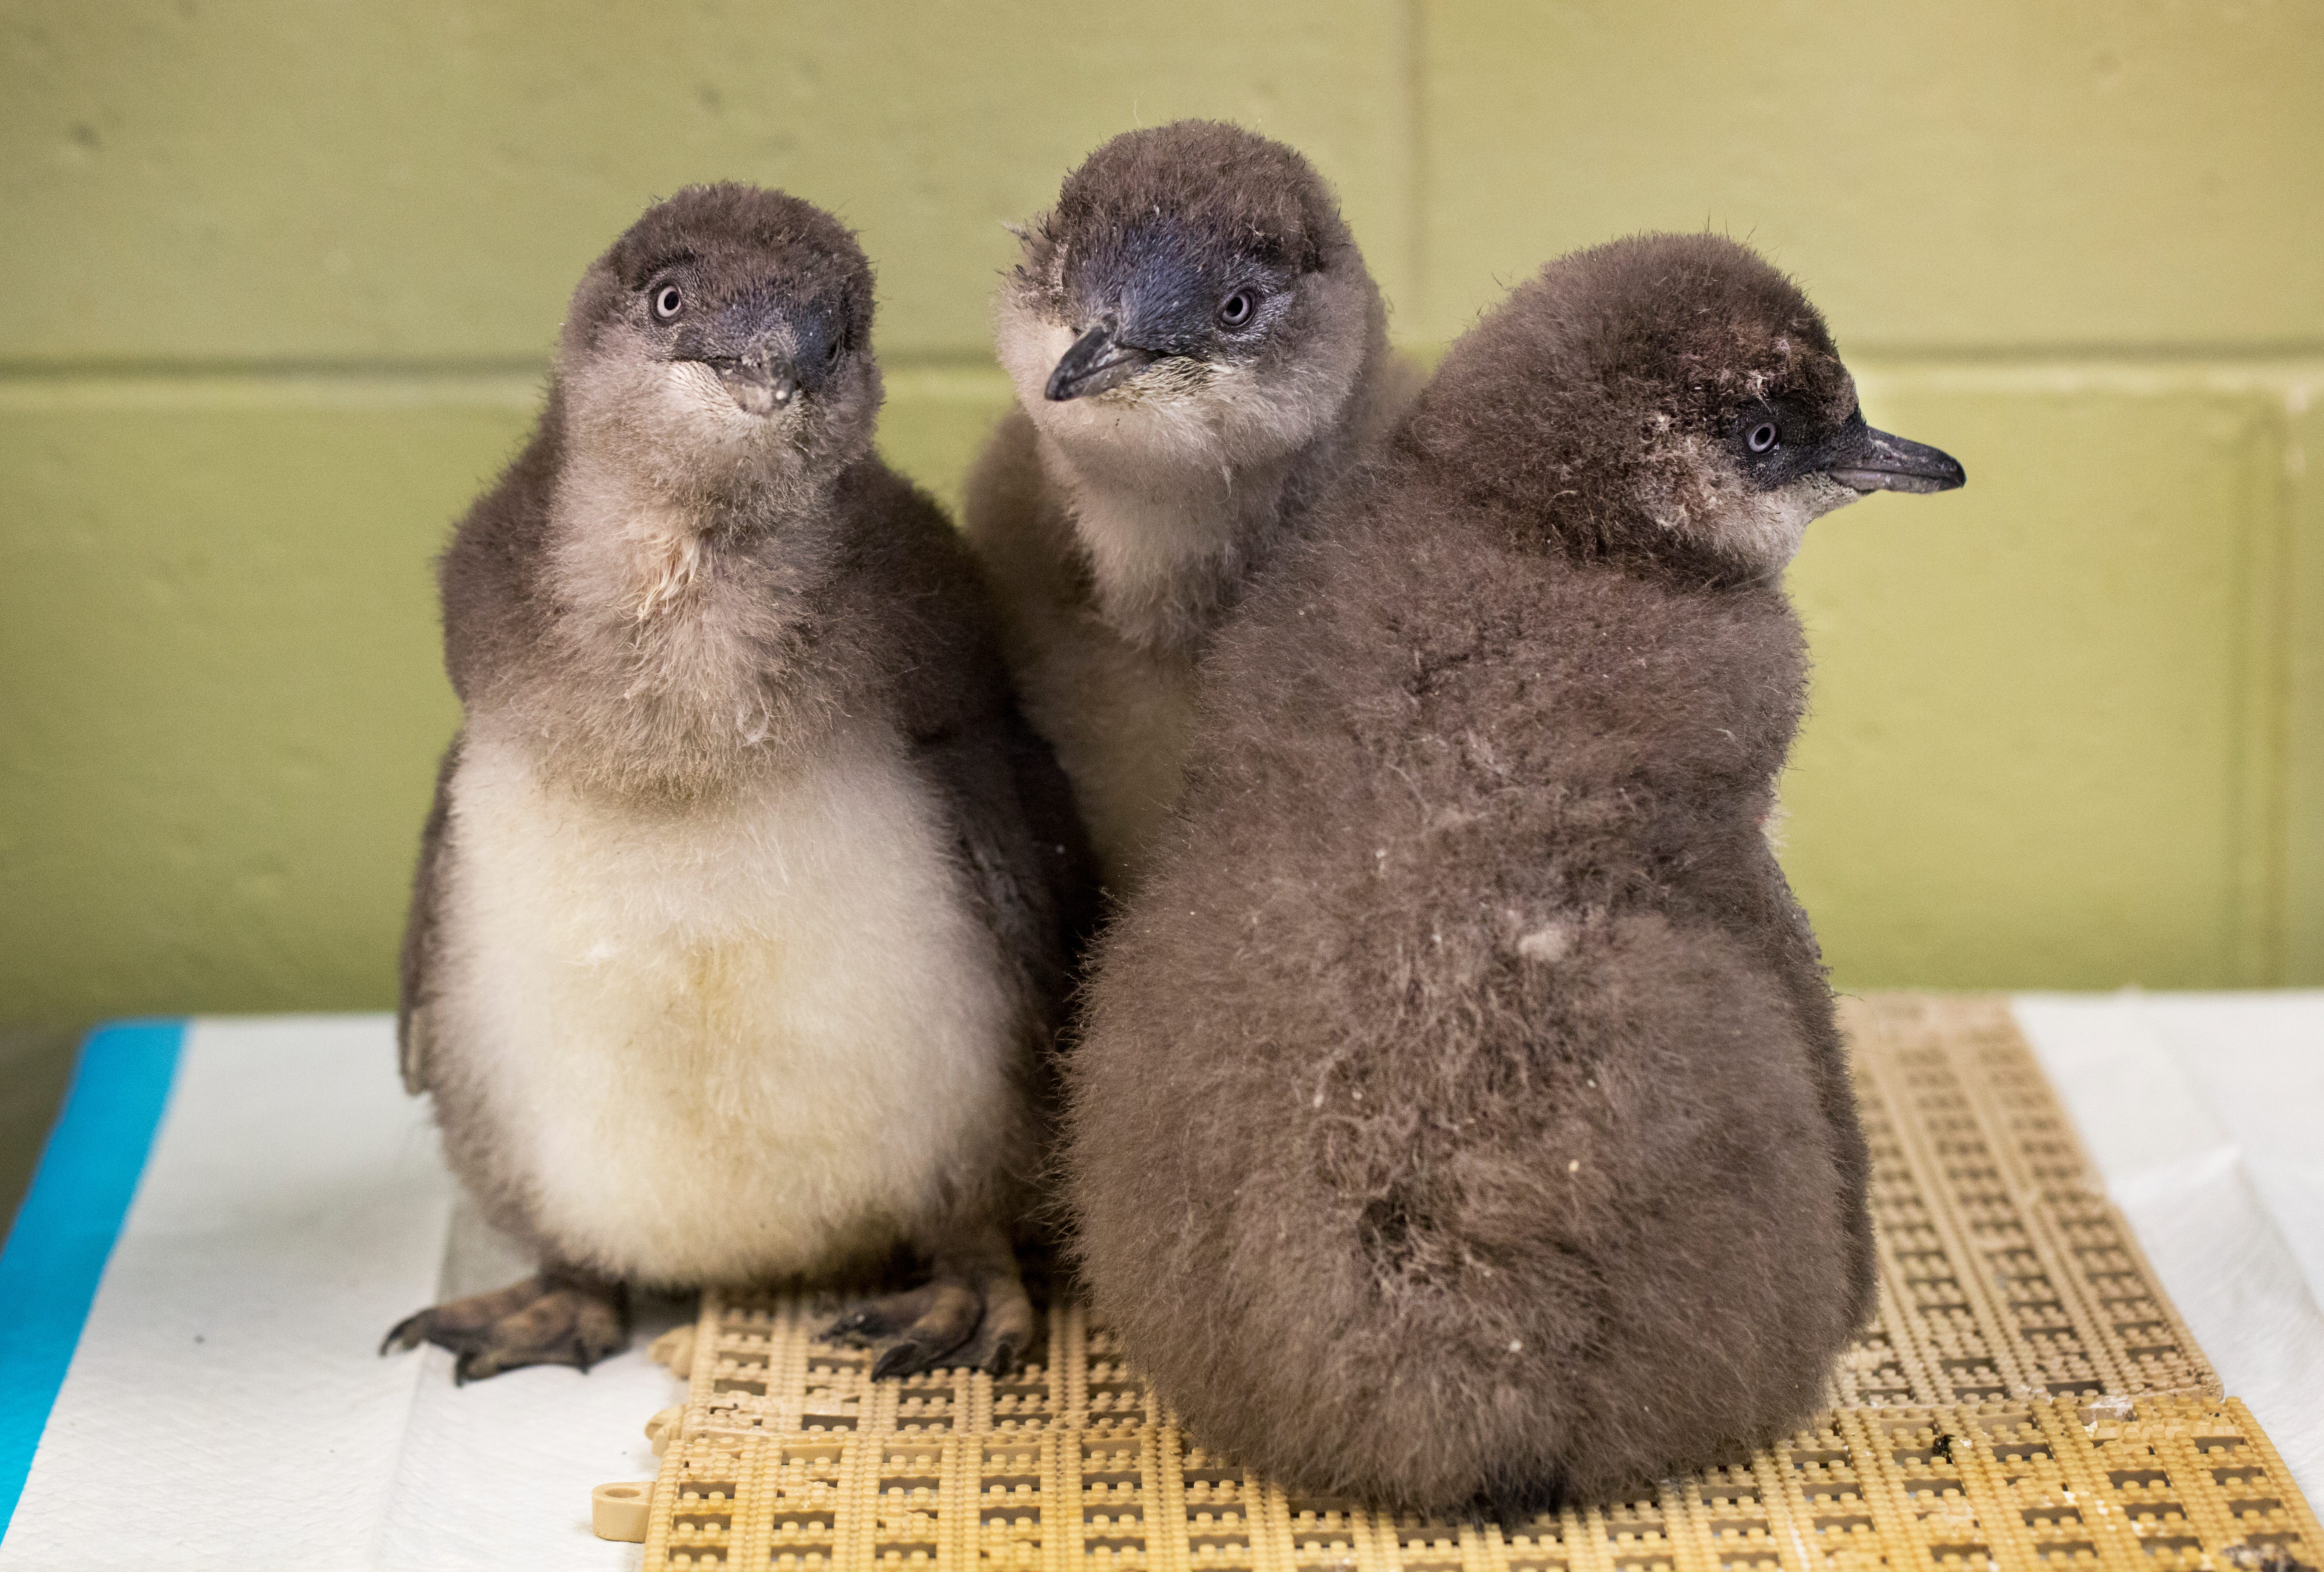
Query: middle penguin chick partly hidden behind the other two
{"type": "Point", "coordinates": [1198, 355]}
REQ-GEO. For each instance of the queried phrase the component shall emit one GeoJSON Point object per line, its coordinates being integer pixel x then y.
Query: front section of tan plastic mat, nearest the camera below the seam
{"type": "Point", "coordinates": [2183, 1482]}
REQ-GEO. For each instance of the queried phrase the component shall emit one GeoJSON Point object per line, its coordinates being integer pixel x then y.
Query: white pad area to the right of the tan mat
{"type": "Point", "coordinates": [2204, 1113]}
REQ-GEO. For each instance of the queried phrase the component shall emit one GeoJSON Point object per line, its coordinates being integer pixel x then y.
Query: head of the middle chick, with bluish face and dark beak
{"type": "Point", "coordinates": [1193, 296]}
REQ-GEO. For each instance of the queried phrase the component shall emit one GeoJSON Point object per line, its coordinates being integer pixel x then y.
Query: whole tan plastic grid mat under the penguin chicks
{"type": "Point", "coordinates": [2028, 1396]}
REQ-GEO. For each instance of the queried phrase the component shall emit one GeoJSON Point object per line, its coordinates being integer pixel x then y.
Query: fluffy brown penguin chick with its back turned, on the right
{"type": "Point", "coordinates": [1461, 1110]}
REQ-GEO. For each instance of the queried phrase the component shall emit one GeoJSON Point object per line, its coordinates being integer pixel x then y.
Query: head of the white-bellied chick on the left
{"type": "Point", "coordinates": [724, 345]}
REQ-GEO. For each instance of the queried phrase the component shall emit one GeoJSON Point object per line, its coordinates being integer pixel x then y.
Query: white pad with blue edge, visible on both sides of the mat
{"type": "Point", "coordinates": [224, 1408]}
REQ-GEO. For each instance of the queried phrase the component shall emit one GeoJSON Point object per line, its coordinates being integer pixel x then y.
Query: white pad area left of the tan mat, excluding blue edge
{"type": "Point", "coordinates": [227, 1406]}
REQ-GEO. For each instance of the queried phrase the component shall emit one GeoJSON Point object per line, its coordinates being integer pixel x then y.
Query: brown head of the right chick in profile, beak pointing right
{"type": "Point", "coordinates": [1665, 396]}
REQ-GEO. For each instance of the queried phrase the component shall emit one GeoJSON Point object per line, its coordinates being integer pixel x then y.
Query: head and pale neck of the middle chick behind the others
{"type": "Point", "coordinates": [1189, 331]}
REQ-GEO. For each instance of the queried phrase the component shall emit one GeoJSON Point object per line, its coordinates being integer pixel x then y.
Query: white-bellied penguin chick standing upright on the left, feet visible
{"type": "Point", "coordinates": [745, 908]}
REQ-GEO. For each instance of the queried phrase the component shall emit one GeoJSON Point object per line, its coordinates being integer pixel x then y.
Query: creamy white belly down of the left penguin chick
{"type": "Point", "coordinates": [724, 1041]}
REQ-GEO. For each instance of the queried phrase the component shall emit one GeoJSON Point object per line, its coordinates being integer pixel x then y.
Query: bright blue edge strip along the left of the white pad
{"type": "Point", "coordinates": [69, 1224]}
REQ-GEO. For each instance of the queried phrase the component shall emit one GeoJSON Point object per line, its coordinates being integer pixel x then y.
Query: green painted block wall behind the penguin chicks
{"type": "Point", "coordinates": [282, 280]}
